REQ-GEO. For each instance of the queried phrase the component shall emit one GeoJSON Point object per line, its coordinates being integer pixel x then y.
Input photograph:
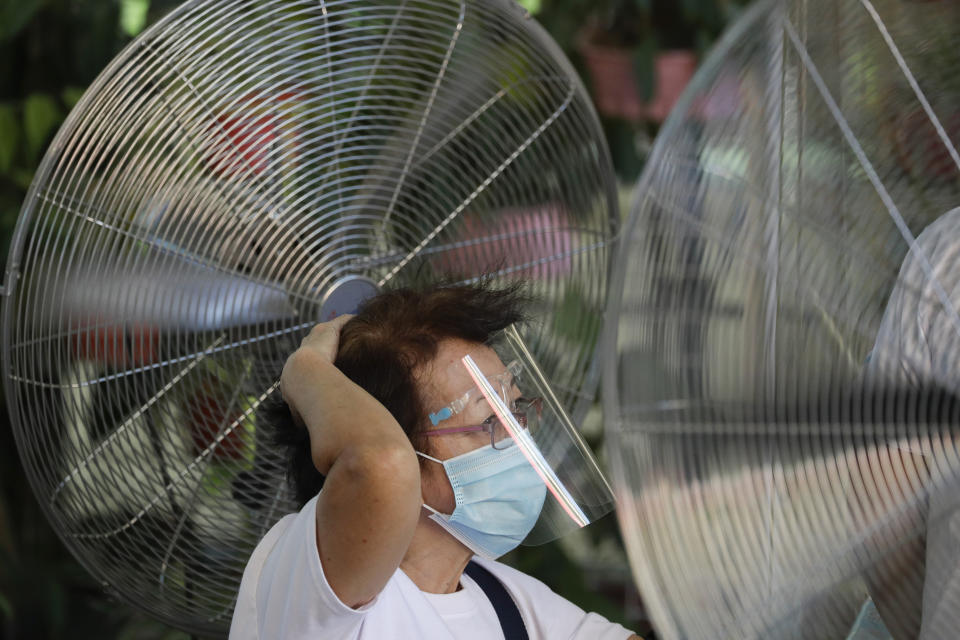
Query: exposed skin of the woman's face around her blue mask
{"type": "Point", "coordinates": [442, 381]}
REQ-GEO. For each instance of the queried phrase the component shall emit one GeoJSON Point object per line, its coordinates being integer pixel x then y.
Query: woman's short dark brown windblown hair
{"type": "Point", "coordinates": [392, 334]}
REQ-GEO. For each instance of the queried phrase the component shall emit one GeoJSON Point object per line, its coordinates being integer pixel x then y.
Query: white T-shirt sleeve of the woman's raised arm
{"type": "Point", "coordinates": [291, 598]}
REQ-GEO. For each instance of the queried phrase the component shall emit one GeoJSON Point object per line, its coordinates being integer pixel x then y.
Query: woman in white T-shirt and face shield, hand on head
{"type": "Point", "coordinates": [380, 551]}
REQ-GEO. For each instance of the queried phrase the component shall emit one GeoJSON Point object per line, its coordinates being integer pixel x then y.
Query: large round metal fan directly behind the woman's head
{"type": "Point", "coordinates": [241, 171]}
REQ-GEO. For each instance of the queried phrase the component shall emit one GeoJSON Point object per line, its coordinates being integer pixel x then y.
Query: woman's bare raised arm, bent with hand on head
{"type": "Point", "coordinates": [368, 509]}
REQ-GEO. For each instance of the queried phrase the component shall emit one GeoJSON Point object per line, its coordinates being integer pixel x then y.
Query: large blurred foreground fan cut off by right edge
{"type": "Point", "coordinates": [782, 368]}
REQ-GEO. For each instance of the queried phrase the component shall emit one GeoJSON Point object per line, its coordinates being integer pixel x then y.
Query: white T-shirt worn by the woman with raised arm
{"type": "Point", "coordinates": [284, 595]}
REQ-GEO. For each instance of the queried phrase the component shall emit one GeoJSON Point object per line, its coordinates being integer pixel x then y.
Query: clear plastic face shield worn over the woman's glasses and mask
{"type": "Point", "coordinates": [510, 410]}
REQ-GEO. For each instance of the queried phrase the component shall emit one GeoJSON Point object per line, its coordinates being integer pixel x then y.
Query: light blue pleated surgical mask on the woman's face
{"type": "Point", "coordinates": [498, 495]}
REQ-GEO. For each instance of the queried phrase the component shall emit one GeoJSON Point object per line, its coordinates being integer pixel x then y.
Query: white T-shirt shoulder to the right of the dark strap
{"type": "Point", "coordinates": [549, 616]}
